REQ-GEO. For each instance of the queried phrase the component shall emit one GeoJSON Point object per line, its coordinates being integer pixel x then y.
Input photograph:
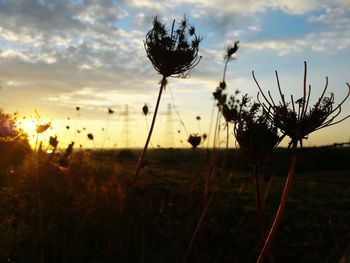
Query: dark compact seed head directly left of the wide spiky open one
{"type": "Point", "coordinates": [256, 135]}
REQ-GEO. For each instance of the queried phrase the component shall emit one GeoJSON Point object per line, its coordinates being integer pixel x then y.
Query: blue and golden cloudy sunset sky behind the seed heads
{"type": "Point", "coordinates": [58, 55]}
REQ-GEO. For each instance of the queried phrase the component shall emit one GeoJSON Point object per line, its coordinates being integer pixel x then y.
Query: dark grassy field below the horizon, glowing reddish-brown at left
{"type": "Point", "coordinates": [96, 211]}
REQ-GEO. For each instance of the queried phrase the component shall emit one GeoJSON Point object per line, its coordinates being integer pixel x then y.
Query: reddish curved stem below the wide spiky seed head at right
{"type": "Point", "coordinates": [282, 205]}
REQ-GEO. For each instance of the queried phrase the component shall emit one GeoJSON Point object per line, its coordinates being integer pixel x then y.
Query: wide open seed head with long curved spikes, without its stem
{"type": "Point", "coordinates": [296, 119]}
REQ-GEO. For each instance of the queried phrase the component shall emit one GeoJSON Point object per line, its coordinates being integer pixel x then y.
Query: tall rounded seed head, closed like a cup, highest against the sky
{"type": "Point", "coordinates": [174, 53]}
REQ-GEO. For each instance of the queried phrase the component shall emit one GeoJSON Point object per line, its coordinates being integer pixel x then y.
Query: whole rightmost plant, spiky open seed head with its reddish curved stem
{"type": "Point", "coordinates": [297, 120]}
